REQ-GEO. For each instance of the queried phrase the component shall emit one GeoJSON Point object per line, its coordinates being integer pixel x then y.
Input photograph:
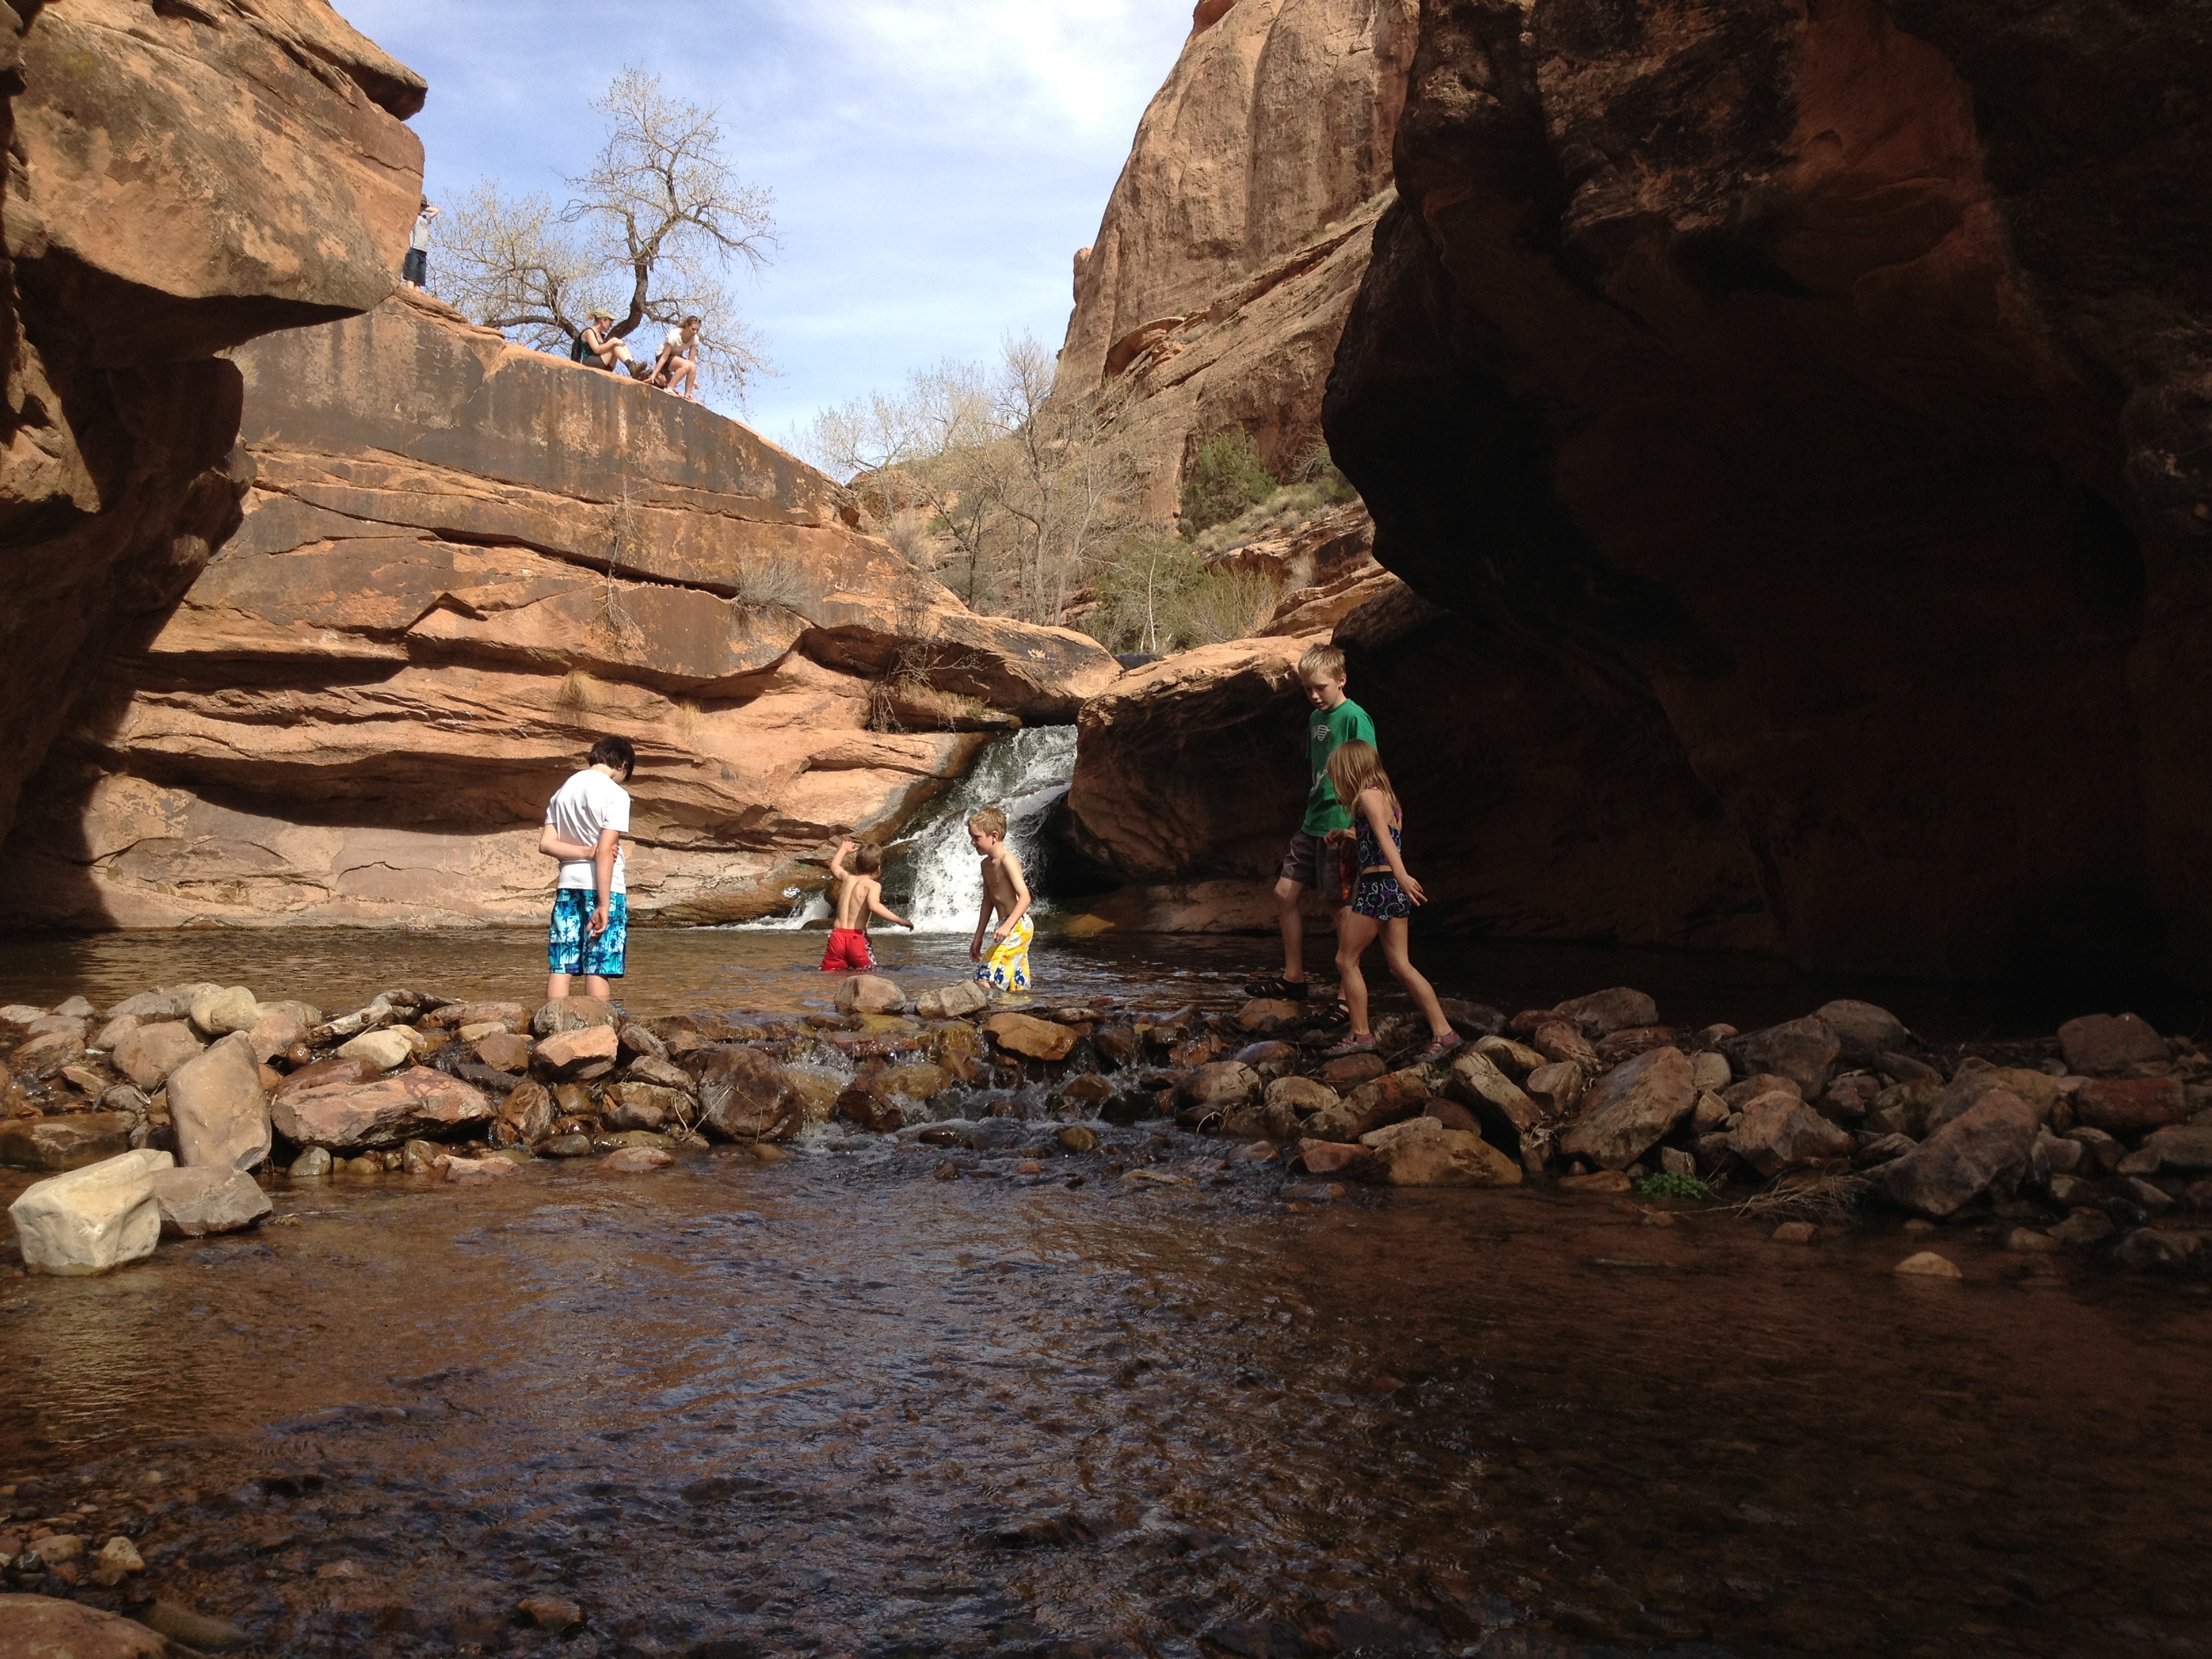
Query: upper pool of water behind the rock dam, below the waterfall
{"type": "Point", "coordinates": [689, 970]}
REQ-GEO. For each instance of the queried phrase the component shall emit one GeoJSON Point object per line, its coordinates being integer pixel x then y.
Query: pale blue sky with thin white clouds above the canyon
{"type": "Point", "coordinates": [937, 163]}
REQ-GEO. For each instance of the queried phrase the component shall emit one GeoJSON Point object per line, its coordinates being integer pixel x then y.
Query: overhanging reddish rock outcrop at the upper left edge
{"type": "Point", "coordinates": [180, 178]}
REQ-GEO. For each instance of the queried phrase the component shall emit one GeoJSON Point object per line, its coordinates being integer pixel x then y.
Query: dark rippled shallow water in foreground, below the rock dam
{"type": "Point", "coordinates": [837, 1406]}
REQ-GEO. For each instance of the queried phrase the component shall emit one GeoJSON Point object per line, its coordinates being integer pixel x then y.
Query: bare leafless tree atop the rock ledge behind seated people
{"type": "Point", "coordinates": [649, 231]}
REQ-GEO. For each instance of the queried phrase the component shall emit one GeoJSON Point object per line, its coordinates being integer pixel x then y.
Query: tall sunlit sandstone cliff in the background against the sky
{"type": "Point", "coordinates": [1238, 233]}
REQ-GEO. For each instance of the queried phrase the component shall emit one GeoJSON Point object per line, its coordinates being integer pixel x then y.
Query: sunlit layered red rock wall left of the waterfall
{"type": "Point", "coordinates": [459, 563]}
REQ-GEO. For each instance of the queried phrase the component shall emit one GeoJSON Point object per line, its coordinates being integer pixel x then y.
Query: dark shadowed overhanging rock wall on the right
{"type": "Point", "coordinates": [1835, 384]}
